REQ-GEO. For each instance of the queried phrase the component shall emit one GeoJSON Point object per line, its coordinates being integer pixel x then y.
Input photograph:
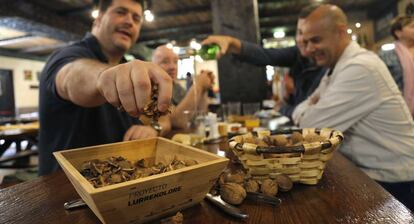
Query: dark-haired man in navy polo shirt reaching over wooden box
{"type": "Point", "coordinates": [90, 95]}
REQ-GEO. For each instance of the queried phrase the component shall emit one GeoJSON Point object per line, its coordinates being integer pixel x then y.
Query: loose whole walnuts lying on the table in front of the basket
{"type": "Point", "coordinates": [233, 187]}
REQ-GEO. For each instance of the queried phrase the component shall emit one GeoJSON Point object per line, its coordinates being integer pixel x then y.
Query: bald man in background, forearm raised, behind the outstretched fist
{"type": "Point", "coordinates": [187, 103]}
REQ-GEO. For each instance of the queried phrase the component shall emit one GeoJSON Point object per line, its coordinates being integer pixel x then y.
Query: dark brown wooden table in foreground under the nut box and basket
{"type": "Point", "coordinates": [344, 195]}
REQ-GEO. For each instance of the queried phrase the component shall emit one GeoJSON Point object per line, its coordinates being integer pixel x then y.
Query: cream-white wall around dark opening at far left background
{"type": "Point", "coordinates": [24, 96]}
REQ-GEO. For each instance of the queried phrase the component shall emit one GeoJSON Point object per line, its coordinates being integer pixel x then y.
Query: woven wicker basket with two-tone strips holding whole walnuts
{"type": "Point", "coordinates": [303, 163]}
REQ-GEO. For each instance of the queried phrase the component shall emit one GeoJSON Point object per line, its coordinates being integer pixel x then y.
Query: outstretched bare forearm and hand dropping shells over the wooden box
{"type": "Point", "coordinates": [89, 83]}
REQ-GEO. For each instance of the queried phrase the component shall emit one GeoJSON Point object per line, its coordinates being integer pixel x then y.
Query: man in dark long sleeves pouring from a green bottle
{"type": "Point", "coordinates": [305, 74]}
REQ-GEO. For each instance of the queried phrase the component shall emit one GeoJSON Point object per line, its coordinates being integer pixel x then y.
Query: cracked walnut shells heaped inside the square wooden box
{"type": "Point", "coordinates": [117, 169]}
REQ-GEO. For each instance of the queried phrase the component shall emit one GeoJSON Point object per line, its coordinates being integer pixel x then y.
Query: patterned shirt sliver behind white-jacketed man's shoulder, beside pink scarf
{"type": "Point", "coordinates": [394, 65]}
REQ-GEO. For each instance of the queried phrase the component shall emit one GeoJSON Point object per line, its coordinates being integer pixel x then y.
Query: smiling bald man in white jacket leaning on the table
{"type": "Point", "coordinates": [359, 97]}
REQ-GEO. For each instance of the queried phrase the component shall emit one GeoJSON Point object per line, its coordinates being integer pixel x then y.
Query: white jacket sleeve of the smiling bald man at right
{"type": "Point", "coordinates": [349, 97]}
